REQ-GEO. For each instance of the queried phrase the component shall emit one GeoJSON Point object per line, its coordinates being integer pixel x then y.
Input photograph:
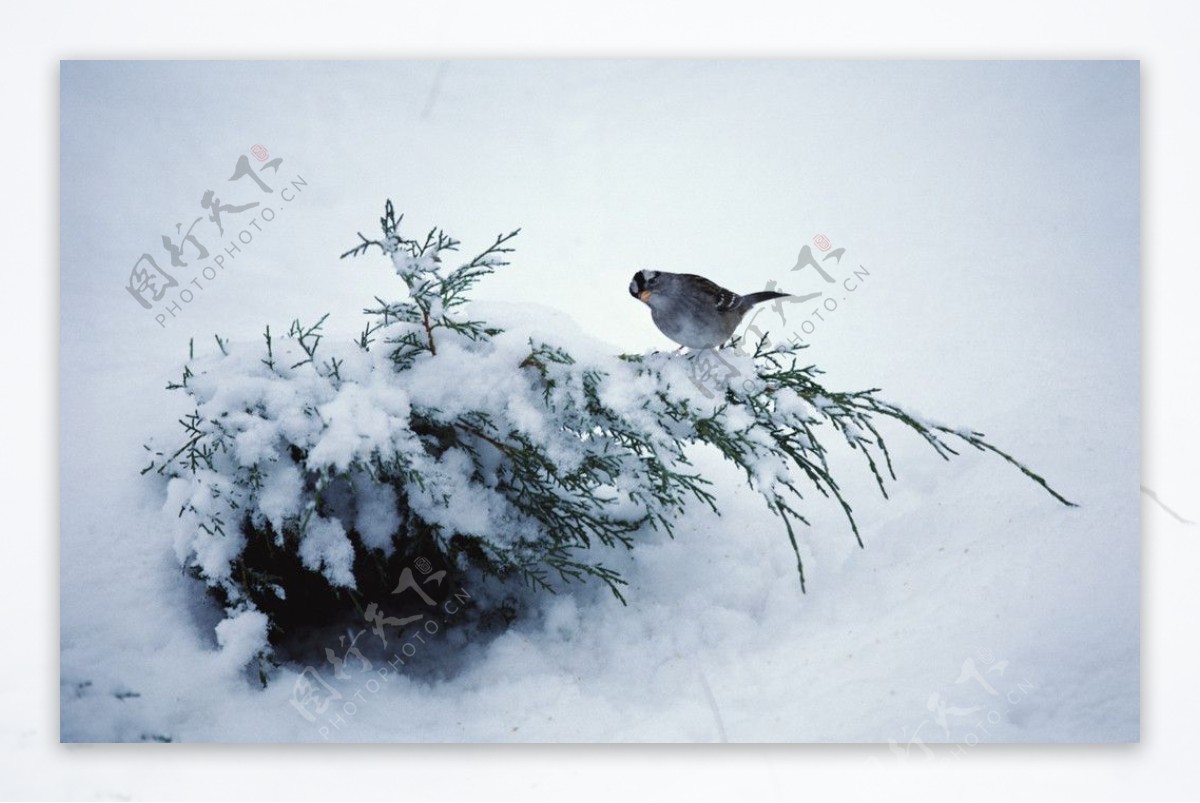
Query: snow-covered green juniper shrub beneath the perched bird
{"type": "Point", "coordinates": [314, 474]}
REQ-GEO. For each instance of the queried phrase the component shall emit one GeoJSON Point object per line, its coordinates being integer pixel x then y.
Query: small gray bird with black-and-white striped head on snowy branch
{"type": "Point", "coordinates": [692, 310]}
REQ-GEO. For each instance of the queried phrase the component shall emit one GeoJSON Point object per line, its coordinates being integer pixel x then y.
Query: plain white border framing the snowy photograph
{"type": "Point", "coordinates": [33, 764]}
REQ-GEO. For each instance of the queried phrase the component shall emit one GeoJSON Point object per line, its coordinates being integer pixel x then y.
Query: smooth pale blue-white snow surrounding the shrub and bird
{"type": "Point", "coordinates": [994, 208]}
